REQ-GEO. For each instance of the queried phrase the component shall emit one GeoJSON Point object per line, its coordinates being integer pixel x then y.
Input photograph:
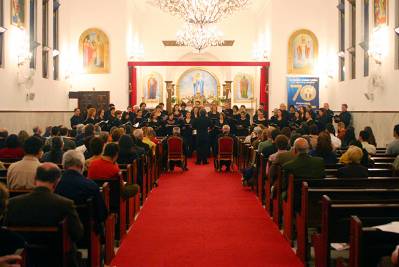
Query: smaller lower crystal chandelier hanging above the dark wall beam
{"type": "Point", "coordinates": [199, 37]}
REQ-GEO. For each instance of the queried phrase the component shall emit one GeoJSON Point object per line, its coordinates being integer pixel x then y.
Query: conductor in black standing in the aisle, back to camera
{"type": "Point", "coordinates": [202, 125]}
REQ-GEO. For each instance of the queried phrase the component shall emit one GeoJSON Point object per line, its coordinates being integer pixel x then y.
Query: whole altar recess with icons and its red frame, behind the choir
{"type": "Point", "coordinates": [209, 82]}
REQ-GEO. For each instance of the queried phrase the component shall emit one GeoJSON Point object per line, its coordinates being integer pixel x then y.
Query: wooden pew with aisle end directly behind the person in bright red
{"type": "Point", "coordinates": [117, 204]}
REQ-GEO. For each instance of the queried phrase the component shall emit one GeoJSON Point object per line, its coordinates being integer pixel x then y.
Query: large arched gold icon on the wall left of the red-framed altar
{"type": "Point", "coordinates": [94, 51]}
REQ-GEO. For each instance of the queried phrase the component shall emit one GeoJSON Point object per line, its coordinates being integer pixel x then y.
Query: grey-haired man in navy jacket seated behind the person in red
{"type": "Point", "coordinates": [75, 186]}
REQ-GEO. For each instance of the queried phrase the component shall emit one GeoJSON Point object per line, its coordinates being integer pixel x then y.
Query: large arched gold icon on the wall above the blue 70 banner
{"type": "Point", "coordinates": [303, 49]}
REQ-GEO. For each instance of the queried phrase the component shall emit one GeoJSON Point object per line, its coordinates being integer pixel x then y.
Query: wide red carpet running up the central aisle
{"type": "Point", "coordinates": [203, 218]}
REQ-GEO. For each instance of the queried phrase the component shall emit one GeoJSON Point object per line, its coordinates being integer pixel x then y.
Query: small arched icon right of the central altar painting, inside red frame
{"type": "Point", "coordinates": [243, 87]}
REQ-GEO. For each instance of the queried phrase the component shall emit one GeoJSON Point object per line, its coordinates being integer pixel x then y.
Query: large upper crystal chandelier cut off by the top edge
{"type": "Point", "coordinates": [201, 12]}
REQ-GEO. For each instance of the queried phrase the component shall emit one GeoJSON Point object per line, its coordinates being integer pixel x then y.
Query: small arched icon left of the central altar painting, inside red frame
{"type": "Point", "coordinates": [153, 87]}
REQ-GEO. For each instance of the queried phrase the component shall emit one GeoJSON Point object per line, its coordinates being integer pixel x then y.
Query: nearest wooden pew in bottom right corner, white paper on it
{"type": "Point", "coordinates": [368, 243]}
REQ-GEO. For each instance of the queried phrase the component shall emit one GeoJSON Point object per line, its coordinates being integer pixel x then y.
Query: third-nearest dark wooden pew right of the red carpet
{"type": "Point", "coordinates": [309, 215]}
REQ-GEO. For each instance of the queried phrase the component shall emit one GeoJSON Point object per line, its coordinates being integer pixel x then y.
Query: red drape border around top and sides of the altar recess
{"type": "Point", "coordinates": [264, 73]}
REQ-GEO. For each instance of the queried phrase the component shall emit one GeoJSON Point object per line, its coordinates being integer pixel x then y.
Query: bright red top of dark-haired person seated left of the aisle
{"type": "Point", "coordinates": [103, 169]}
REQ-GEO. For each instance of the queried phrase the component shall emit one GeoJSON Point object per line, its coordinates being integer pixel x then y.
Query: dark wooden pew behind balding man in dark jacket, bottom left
{"type": "Point", "coordinates": [46, 246]}
